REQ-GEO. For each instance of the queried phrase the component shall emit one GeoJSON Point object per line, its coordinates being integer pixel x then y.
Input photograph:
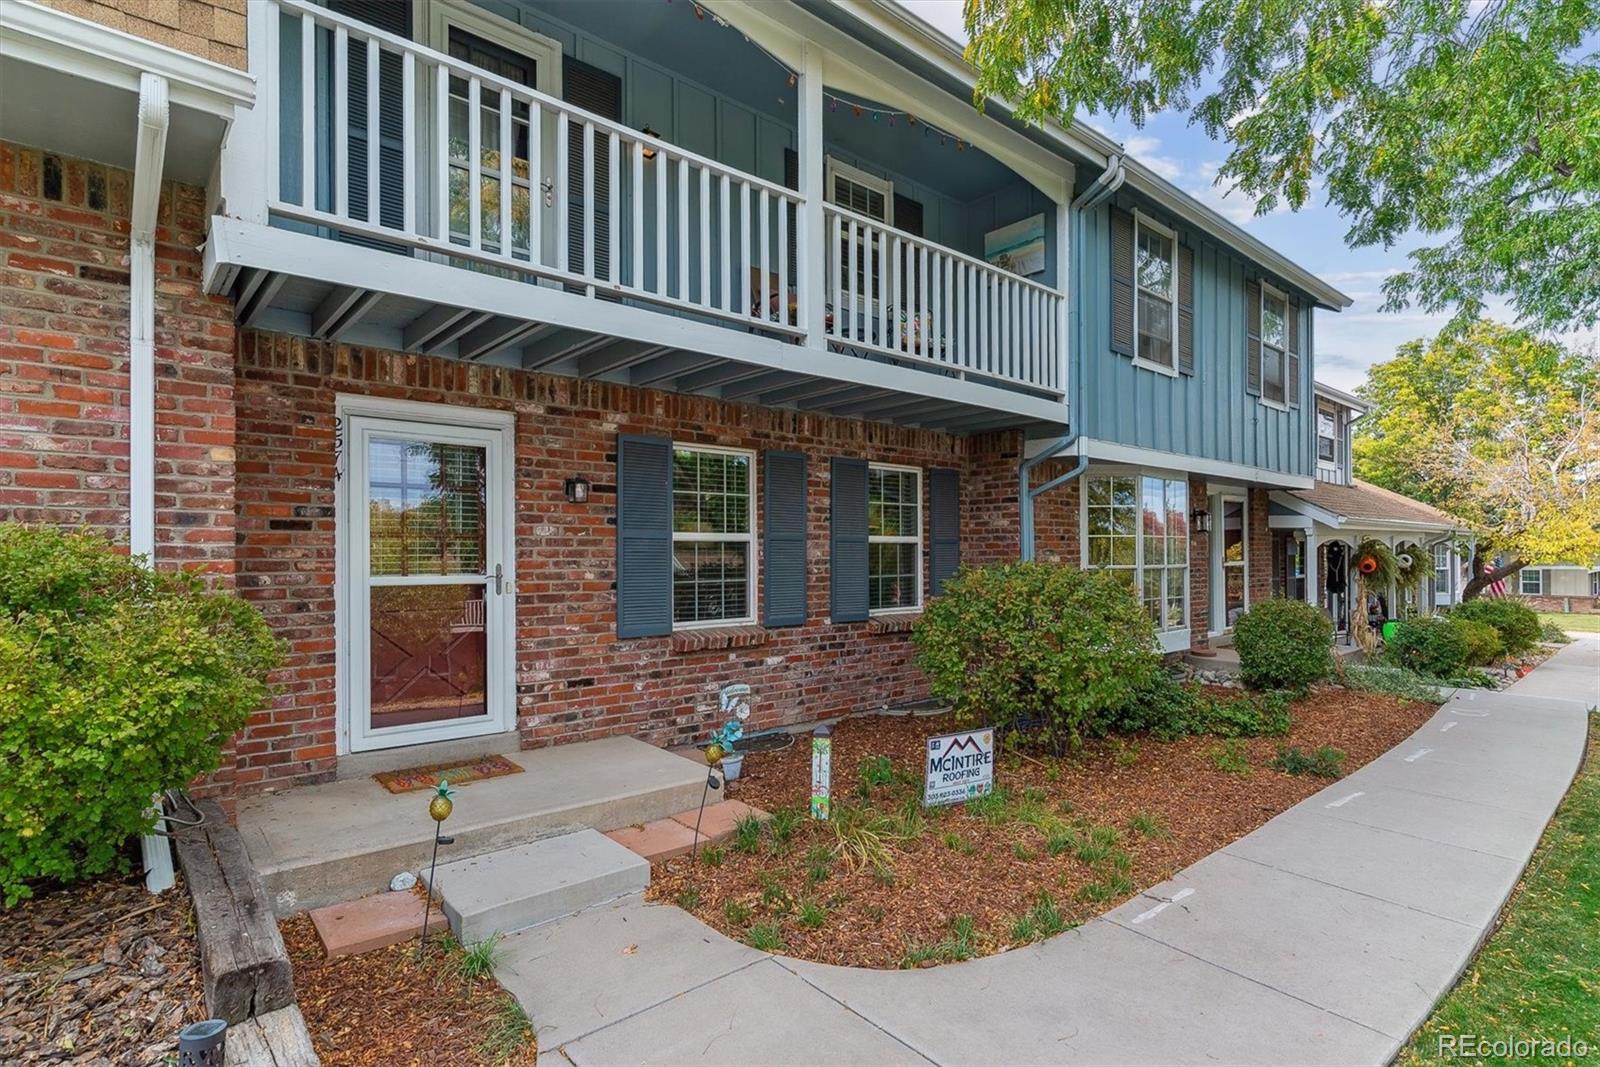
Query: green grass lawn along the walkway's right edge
{"type": "Point", "coordinates": [1538, 977]}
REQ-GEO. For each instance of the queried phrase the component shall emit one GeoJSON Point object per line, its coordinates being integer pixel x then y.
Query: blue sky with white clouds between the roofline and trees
{"type": "Point", "coordinates": [1350, 342]}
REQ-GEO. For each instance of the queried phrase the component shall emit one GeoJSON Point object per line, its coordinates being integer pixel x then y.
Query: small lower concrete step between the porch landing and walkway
{"type": "Point", "coordinates": [526, 885]}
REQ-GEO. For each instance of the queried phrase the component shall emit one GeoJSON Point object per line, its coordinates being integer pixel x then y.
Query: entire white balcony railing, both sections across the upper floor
{"type": "Point", "coordinates": [380, 140]}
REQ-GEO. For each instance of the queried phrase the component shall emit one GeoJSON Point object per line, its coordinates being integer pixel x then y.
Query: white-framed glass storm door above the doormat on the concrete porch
{"type": "Point", "coordinates": [426, 583]}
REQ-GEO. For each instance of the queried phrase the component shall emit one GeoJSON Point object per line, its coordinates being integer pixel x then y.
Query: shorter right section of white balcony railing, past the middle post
{"type": "Point", "coordinates": [898, 295]}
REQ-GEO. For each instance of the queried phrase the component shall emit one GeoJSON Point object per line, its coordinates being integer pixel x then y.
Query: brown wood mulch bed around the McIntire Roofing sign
{"type": "Point", "coordinates": [962, 865]}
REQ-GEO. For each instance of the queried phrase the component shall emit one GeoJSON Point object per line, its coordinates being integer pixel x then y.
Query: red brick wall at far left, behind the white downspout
{"type": "Point", "coordinates": [65, 361]}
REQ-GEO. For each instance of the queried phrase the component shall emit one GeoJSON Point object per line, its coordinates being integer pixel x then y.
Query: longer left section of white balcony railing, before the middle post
{"type": "Point", "coordinates": [591, 202]}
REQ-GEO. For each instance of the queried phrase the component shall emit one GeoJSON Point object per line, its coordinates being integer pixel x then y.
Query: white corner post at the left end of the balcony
{"type": "Point", "coordinates": [247, 153]}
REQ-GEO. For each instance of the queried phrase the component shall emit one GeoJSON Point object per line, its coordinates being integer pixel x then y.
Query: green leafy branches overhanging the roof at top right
{"type": "Point", "coordinates": [1474, 124]}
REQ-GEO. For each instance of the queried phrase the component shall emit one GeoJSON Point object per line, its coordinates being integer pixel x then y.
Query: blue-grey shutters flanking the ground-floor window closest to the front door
{"type": "Point", "coordinates": [644, 538]}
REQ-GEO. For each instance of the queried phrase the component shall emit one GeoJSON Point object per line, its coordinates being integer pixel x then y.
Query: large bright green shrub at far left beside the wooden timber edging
{"type": "Point", "coordinates": [119, 684]}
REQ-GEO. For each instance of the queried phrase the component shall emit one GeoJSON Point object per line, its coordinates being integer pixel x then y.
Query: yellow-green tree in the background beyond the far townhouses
{"type": "Point", "coordinates": [1498, 428]}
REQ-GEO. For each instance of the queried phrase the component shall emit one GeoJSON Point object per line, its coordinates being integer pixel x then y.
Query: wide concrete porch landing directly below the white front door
{"type": "Point", "coordinates": [319, 845]}
